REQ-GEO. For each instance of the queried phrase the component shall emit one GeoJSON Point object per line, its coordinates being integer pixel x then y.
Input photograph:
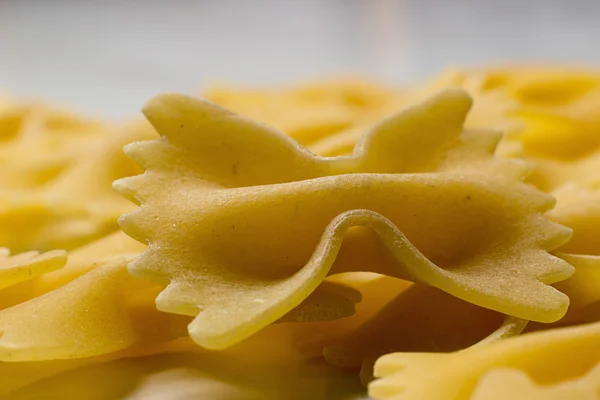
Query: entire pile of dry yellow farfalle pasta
{"type": "Point", "coordinates": [325, 240]}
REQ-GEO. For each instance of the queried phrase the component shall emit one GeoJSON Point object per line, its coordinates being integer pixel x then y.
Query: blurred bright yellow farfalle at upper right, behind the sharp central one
{"type": "Point", "coordinates": [551, 116]}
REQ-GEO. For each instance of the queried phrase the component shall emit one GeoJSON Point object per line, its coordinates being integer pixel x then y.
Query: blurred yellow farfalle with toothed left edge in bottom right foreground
{"type": "Point", "coordinates": [548, 357]}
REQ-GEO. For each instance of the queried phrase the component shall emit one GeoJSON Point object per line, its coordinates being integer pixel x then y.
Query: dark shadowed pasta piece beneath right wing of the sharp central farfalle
{"type": "Point", "coordinates": [421, 318]}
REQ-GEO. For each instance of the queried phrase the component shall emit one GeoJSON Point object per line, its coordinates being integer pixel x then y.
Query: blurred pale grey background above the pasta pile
{"type": "Point", "coordinates": [107, 58]}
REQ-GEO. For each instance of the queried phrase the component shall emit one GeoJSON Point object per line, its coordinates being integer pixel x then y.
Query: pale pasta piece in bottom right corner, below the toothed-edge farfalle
{"type": "Point", "coordinates": [505, 383]}
